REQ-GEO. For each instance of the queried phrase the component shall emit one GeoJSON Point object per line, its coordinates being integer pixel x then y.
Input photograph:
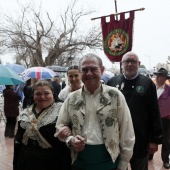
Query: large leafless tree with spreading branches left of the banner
{"type": "Point", "coordinates": [41, 42]}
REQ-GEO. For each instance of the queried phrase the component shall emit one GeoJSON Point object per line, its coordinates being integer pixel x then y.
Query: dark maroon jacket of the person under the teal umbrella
{"type": "Point", "coordinates": [11, 103]}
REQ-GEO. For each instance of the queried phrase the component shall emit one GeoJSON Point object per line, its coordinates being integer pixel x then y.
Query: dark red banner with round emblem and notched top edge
{"type": "Point", "coordinates": [117, 36]}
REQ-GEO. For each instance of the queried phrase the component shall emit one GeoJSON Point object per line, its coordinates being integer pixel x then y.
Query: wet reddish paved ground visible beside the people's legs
{"type": "Point", "coordinates": [6, 153]}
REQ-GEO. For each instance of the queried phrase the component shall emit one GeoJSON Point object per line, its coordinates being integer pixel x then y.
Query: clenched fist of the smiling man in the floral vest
{"type": "Point", "coordinates": [77, 143]}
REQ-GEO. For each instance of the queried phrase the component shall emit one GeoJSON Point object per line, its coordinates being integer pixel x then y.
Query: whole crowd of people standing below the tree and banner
{"type": "Point", "coordinates": [88, 125]}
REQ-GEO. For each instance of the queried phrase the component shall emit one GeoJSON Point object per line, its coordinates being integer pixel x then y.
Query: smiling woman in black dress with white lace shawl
{"type": "Point", "coordinates": [35, 147]}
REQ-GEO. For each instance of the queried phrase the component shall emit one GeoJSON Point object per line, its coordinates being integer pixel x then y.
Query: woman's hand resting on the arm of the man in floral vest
{"type": "Point", "coordinates": [63, 133]}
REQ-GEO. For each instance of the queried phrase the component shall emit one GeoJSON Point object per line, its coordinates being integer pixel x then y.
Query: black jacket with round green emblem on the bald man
{"type": "Point", "coordinates": [141, 97]}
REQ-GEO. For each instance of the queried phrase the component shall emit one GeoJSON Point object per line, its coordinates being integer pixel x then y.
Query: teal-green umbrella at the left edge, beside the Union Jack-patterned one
{"type": "Point", "coordinates": [9, 77]}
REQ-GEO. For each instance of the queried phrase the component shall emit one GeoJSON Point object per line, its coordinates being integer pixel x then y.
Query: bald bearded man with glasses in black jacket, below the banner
{"type": "Point", "coordinates": [141, 97]}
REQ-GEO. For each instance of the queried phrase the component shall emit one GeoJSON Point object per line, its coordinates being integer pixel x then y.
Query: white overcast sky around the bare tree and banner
{"type": "Point", "coordinates": [151, 38]}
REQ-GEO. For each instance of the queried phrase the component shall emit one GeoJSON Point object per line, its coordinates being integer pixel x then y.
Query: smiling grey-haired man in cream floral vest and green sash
{"type": "Point", "coordinates": [102, 131]}
